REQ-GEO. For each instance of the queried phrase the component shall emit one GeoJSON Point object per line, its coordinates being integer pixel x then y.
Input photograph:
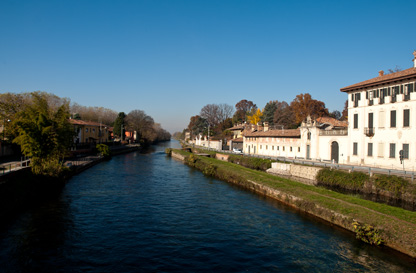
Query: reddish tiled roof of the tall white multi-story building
{"type": "Point", "coordinates": [401, 75]}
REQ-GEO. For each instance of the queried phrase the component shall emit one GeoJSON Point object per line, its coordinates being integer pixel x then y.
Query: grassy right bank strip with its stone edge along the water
{"type": "Point", "coordinates": [395, 227]}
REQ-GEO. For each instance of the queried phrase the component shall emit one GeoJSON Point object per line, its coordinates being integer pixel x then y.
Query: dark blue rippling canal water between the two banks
{"type": "Point", "coordinates": [145, 212]}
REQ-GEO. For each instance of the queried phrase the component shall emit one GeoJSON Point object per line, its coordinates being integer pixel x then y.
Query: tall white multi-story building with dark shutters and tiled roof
{"type": "Point", "coordinates": [382, 120]}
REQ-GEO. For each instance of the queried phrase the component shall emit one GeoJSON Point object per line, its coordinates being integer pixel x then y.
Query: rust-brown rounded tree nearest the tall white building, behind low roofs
{"type": "Point", "coordinates": [303, 105]}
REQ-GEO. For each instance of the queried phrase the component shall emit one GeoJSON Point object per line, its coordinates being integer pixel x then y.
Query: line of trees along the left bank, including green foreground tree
{"type": "Point", "coordinates": [39, 123]}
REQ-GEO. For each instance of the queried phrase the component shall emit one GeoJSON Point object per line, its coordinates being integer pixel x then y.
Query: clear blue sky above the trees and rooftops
{"type": "Point", "coordinates": [170, 58]}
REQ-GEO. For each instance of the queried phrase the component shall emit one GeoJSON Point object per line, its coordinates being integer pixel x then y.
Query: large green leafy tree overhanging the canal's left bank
{"type": "Point", "coordinates": [44, 134]}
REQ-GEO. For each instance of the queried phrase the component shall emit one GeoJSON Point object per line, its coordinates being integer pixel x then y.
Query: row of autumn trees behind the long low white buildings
{"type": "Point", "coordinates": [278, 114]}
